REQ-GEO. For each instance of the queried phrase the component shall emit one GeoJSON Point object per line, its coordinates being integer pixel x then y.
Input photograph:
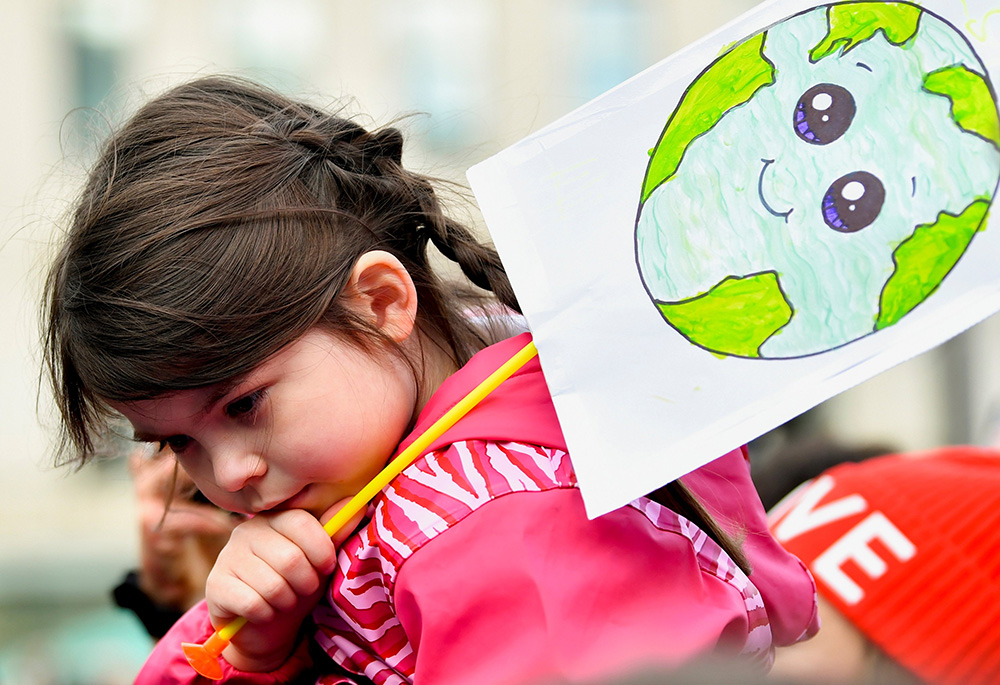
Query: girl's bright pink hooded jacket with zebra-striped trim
{"type": "Point", "coordinates": [478, 564]}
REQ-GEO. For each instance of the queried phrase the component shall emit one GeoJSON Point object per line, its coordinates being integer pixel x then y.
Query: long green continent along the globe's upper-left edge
{"type": "Point", "coordinates": [731, 80]}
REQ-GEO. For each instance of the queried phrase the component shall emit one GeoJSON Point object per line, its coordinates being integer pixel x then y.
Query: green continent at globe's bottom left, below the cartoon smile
{"type": "Point", "coordinates": [735, 317]}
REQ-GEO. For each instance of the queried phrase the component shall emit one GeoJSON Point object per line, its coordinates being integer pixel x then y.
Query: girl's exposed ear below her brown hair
{"type": "Point", "coordinates": [381, 290]}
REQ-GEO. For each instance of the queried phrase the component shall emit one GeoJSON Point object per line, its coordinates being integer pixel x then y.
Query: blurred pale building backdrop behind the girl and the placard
{"type": "Point", "coordinates": [476, 75]}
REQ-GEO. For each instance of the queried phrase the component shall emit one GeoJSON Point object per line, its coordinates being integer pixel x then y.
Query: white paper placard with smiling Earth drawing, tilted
{"type": "Point", "coordinates": [782, 210]}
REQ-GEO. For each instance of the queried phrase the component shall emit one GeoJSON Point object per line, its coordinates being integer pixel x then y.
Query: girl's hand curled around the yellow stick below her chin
{"type": "Point", "coordinates": [273, 571]}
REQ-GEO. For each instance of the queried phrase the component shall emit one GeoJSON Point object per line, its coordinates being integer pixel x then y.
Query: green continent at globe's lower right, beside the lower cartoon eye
{"type": "Point", "coordinates": [925, 258]}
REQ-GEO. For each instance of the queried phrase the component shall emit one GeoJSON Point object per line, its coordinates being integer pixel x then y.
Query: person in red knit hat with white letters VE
{"type": "Point", "coordinates": [905, 551]}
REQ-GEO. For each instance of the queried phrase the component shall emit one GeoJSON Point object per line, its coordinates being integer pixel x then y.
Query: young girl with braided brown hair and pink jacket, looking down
{"type": "Point", "coordinates": [247, 281]}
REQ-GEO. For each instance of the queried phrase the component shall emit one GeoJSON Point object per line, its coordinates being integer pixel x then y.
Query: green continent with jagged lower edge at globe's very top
{"type": "Point", "coordinates": [852, 23]}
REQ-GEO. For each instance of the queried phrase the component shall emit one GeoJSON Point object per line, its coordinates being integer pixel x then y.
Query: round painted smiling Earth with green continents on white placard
{"type": "Point", "coordinates": [818, 181]}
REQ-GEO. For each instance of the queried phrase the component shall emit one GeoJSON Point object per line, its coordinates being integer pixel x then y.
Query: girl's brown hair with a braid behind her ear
{"type": "Point", "coordinates": [219, 225]}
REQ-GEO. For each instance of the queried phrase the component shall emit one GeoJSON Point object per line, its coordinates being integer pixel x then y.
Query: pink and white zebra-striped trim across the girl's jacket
{"type": "Point", "coordinates": [358, 627]}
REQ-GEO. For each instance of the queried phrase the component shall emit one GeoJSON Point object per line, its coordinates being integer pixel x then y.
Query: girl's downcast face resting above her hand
{"type": "Point", "coordinates": [305, 429]}
